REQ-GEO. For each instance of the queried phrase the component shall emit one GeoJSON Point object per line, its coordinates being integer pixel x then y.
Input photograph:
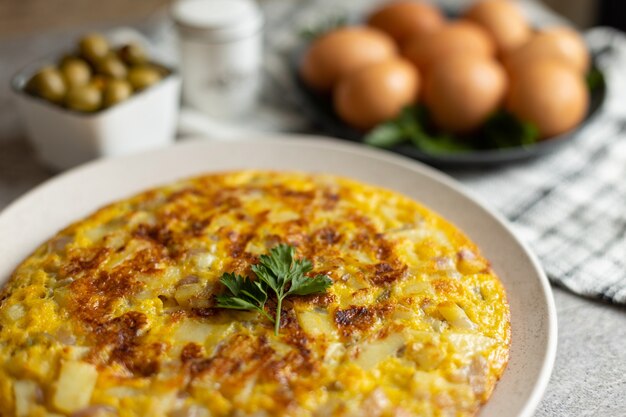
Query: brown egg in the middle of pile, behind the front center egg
{"type": "Point", "coordinates": [457, 37]}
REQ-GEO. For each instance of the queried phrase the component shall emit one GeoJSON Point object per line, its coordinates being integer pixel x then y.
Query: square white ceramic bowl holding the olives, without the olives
{"type": "Point", "coordinates": [64, 138]}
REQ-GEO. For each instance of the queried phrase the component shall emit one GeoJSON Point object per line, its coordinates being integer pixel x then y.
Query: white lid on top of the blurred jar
{"type": "Point", "coordinates": [217, 20]}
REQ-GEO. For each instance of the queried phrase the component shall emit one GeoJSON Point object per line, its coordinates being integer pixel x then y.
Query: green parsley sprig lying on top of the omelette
{"type": "Point", "coordinates": [278, 272]}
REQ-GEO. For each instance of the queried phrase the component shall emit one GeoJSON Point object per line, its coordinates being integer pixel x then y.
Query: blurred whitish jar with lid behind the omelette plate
{"type": "Point", "coordinates": [220, 50]}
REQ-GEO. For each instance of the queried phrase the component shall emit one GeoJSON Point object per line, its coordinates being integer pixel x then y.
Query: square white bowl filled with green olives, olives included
{"type": "Point", "coordinates": [103, 99]}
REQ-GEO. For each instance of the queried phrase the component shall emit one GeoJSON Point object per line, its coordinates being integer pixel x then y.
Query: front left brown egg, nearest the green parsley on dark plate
{"type": "Point", "coordinates": [376, 93]}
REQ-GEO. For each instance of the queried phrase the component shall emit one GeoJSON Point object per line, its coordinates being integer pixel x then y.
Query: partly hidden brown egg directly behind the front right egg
{"type": "Point", "coordinates": [558, 42]}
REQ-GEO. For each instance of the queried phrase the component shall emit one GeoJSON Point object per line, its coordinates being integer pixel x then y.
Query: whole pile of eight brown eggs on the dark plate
{"type": "Point", "coordinates": [461, 70]}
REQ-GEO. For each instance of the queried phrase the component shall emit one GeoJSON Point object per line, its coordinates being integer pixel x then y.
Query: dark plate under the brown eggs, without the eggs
{"type": "Point", "coordinates": [319, 108]}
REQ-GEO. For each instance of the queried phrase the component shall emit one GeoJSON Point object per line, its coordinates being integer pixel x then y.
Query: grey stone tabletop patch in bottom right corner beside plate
{"type": "Point", "coordinates": [589, 377]}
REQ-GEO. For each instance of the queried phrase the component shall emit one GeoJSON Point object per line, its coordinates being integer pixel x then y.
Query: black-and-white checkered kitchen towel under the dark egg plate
{"type": "Point", "coordinates": [571, 205]}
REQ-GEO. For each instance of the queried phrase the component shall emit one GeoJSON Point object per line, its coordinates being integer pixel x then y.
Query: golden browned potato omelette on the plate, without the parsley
{"type": "Point", "coordinates": [115, 315]}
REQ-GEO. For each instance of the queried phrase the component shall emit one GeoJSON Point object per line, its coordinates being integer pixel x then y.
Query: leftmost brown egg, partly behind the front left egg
{"type": "Point", "coordinates": [342, 51]}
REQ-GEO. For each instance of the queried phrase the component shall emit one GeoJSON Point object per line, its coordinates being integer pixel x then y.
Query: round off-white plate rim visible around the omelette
{"type": "Point", "coordinates": [38, 215]}
